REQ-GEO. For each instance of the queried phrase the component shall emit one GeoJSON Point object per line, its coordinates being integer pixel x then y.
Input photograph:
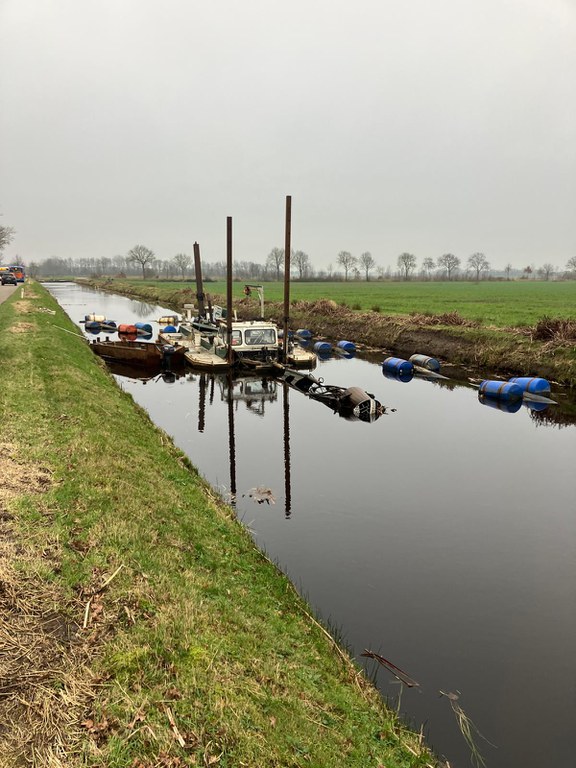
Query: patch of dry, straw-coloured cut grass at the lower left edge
{"type": "Point", "coordinates": [44, 681]}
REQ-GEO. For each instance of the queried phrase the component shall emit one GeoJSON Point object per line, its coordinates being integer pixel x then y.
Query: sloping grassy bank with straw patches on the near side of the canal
{"type": "Point", "coordinates": [139, 625]}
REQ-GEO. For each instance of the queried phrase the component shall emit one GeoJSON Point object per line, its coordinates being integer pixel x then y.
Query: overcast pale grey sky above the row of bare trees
{"type": "Point", "coordinates": [427, 126]}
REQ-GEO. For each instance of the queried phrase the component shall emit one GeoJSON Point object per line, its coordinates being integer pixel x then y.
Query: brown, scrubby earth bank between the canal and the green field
{"type": "Point", "coordinates": [547, 349]}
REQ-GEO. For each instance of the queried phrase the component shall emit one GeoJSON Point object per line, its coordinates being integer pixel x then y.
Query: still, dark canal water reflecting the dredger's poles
{"type": "Point", "coordinates": [442, 536]}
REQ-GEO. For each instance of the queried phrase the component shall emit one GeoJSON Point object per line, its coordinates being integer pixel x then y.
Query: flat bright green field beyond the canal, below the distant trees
{"type": "Point", "coordinates": [501, 304]}
